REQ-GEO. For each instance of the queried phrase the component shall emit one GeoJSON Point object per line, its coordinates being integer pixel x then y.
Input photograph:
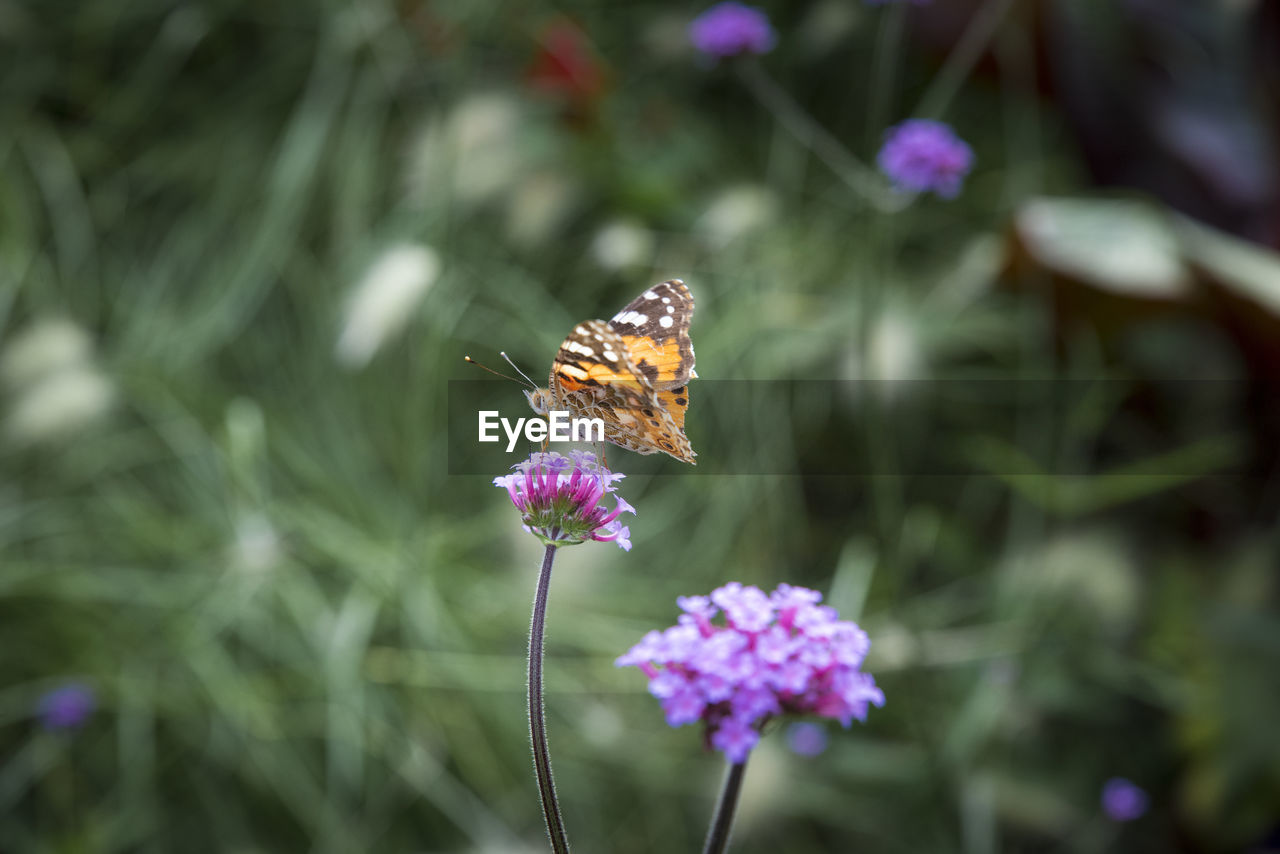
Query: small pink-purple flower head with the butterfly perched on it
{"type": "Point", "coordinates": [560, 500]}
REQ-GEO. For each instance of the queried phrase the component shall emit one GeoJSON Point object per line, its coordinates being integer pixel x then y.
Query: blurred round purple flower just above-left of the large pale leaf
{"type": "Point", "coordinates": [921, 156]}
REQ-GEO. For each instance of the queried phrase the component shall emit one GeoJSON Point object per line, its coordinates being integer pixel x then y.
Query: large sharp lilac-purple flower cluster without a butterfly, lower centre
{"type": "Point", "coordinates": [779, 654]}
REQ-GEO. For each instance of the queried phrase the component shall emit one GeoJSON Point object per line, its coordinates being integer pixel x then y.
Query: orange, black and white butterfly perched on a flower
{"type": "Point", "coordinates": [633, 373]}
